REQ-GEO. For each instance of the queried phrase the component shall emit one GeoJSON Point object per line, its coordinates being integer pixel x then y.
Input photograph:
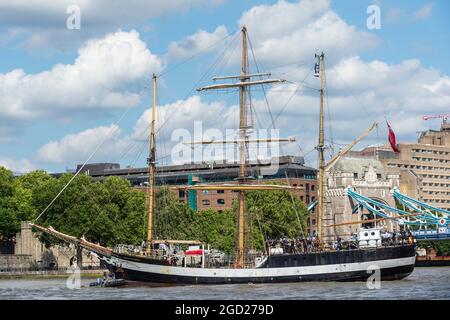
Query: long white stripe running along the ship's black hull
{"type": "Point", "coordinates": [263, 272]}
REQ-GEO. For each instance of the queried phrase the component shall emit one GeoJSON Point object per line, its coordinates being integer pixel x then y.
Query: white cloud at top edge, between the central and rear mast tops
{"type": "Point", "coordinates": [291, 32]}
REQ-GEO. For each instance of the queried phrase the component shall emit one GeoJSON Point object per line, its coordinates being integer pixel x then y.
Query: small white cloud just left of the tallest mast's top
{"type": "Point", "coordinates": [195, 43]}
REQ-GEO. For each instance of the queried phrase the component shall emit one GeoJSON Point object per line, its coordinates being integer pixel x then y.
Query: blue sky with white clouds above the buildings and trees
{"type": "Point", "coordinates": [72, 94]}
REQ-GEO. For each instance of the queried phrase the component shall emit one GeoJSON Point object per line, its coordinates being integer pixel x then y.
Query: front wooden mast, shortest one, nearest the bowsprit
{"type": "Point", "coordinates": [151, 173]}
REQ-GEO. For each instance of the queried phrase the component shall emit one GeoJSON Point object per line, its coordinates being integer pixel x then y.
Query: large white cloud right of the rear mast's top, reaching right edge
{"type": "Point", "coordinates": [406, 86]}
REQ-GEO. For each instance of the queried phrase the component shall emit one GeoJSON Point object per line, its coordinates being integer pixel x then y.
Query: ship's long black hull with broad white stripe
{"type": "Point", "coordinates": [355, 265]}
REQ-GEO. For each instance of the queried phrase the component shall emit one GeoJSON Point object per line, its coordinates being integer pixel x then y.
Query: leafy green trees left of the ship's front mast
{"type": "Point", "coordinates": [107, 213]}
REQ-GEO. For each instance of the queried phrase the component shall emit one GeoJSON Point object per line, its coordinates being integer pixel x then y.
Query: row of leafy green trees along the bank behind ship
{"type": "Point", "coordinates": [110, 212]}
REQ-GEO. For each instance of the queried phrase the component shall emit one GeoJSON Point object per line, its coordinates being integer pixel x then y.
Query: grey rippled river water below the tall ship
{"type": "Point", "coordinates": [423, 283]}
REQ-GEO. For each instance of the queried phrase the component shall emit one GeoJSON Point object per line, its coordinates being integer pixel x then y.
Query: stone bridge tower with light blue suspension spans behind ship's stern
{"type": "Point", "coordinates": [360, 190]}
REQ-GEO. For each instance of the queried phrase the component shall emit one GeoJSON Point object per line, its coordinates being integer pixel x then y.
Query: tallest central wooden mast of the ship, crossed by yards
{"type": "Point", "coordinates": [242, 156]}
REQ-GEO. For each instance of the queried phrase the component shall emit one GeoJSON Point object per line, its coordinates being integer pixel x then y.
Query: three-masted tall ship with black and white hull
{"type": "Point", "coordinates": [181, 261]}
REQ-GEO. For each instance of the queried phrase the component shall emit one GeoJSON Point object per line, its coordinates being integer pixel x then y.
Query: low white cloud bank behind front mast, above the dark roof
{"type": "Point", "coordinates": [75, 148]}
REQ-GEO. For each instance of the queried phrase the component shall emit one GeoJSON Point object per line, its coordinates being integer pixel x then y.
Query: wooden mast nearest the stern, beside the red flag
{"type": "Point", "coordinates": [320, 147]}
